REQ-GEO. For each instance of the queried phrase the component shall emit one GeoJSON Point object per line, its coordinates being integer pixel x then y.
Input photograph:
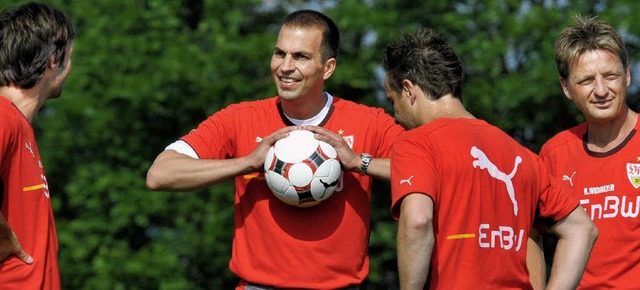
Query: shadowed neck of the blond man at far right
{"type": "Point", "coordinates": [603, 137]}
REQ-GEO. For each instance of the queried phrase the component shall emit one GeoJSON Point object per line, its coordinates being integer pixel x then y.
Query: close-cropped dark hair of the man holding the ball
{"type": "Point", "coordinates": [311, 18]}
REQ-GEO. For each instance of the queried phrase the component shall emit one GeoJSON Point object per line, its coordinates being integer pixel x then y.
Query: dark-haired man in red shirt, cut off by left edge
{"type": "Point", "coordinates": [36, 43]}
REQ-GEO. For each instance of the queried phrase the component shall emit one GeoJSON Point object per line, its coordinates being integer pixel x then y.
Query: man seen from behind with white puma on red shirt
{"type": "Point", "coordinates": [465, 193]}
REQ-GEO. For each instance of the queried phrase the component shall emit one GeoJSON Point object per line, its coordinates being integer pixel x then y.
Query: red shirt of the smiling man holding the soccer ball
{"type": "Point", "coordinates": [321, 247]}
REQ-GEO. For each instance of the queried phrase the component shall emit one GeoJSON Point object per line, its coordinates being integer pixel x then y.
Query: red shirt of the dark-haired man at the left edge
{"type": "Point", "coordinates": [26, 205]}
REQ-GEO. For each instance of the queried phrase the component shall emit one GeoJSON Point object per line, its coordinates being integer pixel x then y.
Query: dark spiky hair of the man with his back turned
{"type": "Point", "coordinates": [425, 58]}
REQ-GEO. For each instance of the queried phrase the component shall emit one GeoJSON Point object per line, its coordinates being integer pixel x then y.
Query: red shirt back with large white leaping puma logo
{"type": "Point", "coordinates": [480, 239]}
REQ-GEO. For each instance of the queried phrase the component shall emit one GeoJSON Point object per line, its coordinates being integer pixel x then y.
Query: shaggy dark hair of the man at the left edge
{"type": "Point", "coordinates": [29, 35]}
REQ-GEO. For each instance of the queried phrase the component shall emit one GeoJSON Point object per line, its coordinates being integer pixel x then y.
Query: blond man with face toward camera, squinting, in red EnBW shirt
{"type": "Point", "coordinates": [598, 161]}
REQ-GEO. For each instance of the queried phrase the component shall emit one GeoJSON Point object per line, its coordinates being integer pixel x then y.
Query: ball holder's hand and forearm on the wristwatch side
{"type": "Point", "coordinates": [350, 160]}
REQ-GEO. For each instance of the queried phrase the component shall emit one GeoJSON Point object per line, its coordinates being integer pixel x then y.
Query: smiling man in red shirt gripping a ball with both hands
{"type": "Point", "coordinates": [277, 245]}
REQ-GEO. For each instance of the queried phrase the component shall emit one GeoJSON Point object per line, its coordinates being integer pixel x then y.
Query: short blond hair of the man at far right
{"type": "Point", "coordinates": [587, 34]}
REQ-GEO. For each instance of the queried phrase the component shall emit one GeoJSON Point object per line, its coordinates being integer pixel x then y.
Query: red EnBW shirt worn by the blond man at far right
{"type": "Point", "coordinates": [608, 186]}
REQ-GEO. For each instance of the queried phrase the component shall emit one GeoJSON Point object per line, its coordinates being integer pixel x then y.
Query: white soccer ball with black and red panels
{"type": "Point", "coordinates": [301, 170]}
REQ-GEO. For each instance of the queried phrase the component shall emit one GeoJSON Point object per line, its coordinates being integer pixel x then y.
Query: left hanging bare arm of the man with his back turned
{"type": "Point", "coordinates": [415, 240]}
